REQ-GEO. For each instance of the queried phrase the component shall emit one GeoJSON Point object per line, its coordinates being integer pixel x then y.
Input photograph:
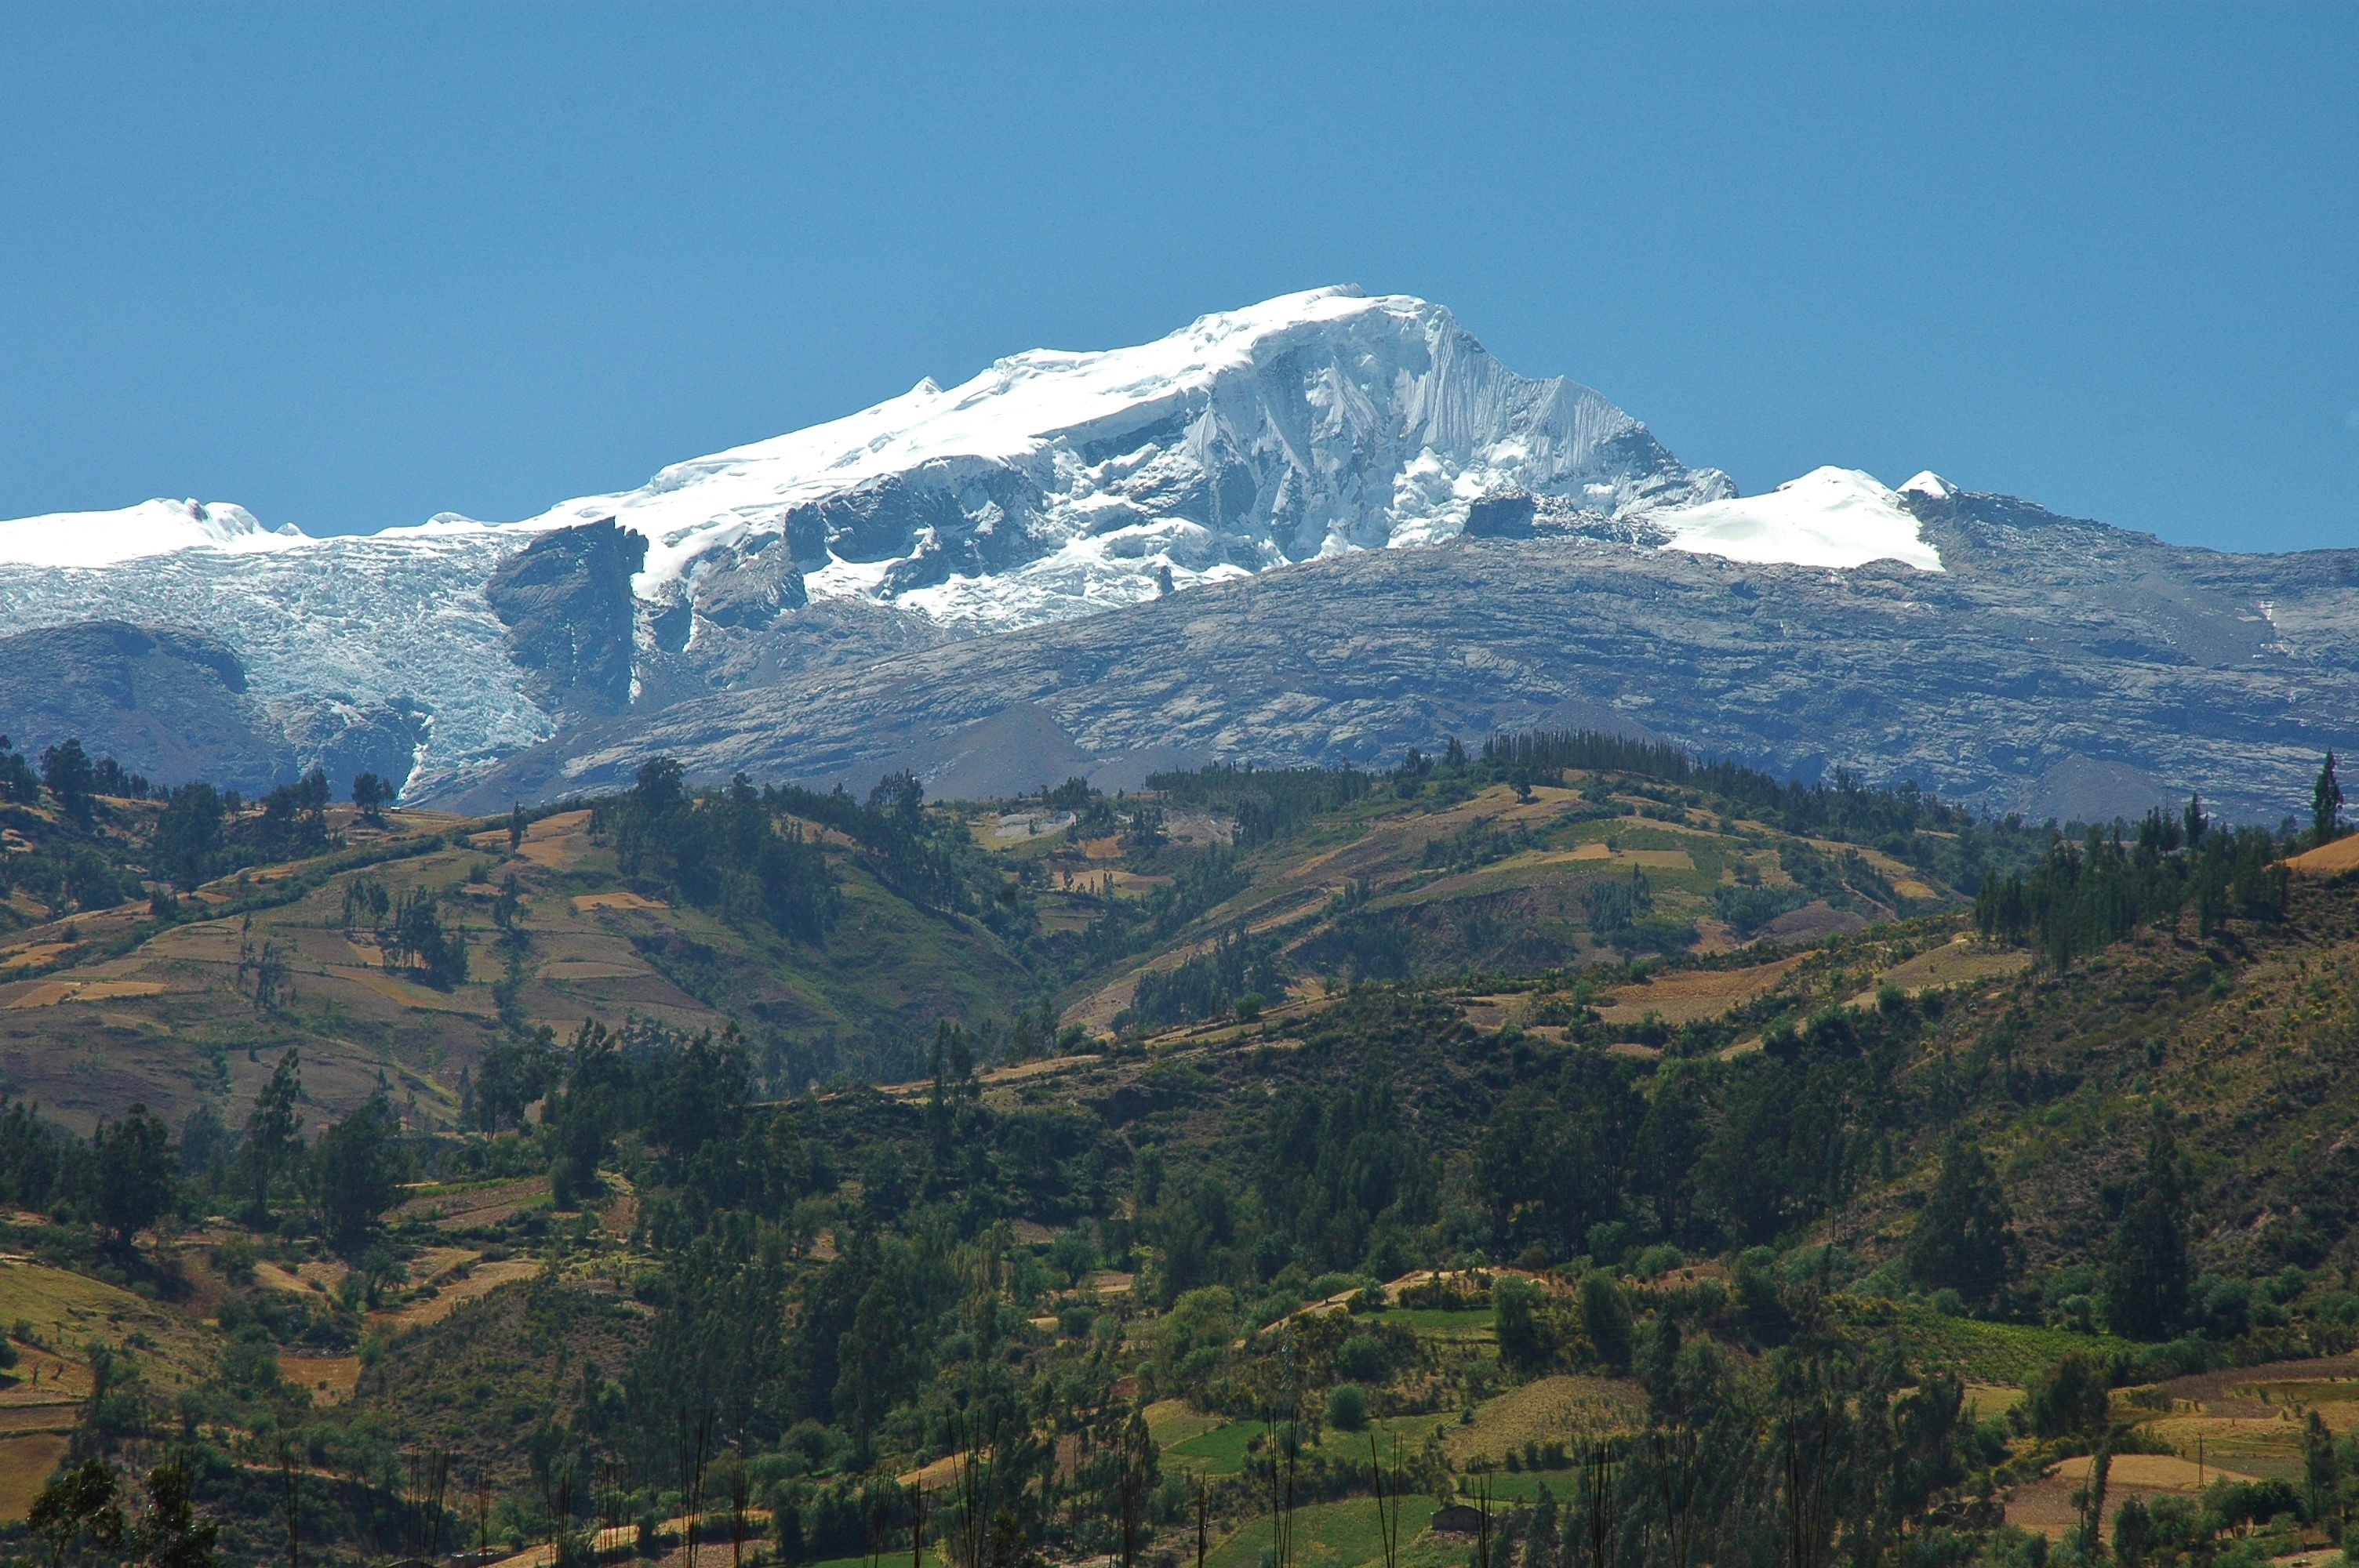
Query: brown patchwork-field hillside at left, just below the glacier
{"type": "Point", "coordinates": [169, 1025]}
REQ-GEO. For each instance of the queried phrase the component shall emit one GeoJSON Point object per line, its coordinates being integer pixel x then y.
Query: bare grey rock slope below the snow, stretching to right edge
{"type": "Point", "coordinates": [2056, 666]}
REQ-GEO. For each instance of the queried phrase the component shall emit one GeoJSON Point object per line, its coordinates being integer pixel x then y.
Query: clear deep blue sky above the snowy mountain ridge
{"type": "Point", "coordinates": [355, 265]}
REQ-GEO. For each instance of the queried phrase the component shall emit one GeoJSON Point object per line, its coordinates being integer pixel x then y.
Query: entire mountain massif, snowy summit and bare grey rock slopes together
{"type": "Point", "coordinates": [1190, 548]}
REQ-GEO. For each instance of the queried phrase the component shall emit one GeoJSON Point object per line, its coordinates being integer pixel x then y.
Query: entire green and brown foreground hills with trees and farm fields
{"type": "Point", "coordinates": [1624, 1147]}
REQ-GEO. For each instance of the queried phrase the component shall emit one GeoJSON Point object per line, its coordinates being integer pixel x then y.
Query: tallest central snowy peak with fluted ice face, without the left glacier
{"type": "Point", "coordinates": [1058, 485]}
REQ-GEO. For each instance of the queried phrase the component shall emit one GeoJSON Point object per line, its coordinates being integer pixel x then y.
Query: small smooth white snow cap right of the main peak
{"type": "Point", "coordinates": [1827, 518]}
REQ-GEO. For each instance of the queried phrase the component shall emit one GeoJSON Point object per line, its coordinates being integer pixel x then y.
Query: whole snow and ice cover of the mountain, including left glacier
{"type": "Point", "coordinates": [1049, 487]}
